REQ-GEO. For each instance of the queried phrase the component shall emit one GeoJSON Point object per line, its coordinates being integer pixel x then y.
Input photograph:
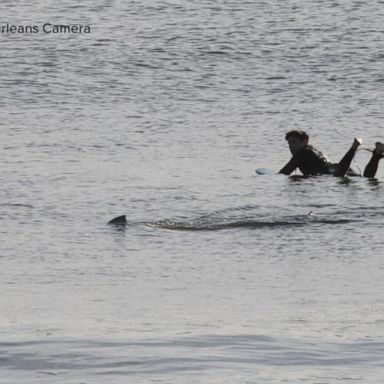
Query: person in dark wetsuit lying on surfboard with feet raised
{"type": "Point", "coordinates": [311, 161]}
